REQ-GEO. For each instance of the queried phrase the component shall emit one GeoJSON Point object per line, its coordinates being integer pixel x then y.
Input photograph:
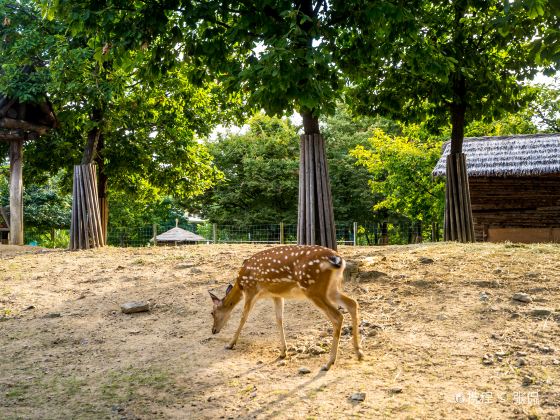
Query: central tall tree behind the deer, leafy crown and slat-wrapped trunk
{"type": "Point", "coordinates": [277, 53]}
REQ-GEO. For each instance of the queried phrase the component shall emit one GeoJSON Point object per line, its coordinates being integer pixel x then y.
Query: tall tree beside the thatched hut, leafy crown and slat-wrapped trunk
{"type": "Point", "coordinates": [447, 62]}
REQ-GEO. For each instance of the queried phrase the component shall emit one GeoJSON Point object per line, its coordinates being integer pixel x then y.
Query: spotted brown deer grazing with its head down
{"type": "Point", "coordinates": [295, 271]}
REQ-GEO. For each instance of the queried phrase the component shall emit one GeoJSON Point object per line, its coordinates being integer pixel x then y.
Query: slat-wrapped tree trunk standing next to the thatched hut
{"type": "Point", "coordinates": [458, 213]}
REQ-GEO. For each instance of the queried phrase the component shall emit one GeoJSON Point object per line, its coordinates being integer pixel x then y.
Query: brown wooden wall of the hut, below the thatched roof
{"type": "Point", "coordinates": [521, 209]}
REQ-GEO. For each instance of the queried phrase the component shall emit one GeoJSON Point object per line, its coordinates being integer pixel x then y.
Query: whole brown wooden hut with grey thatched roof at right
{"type": "Point", "coordinates": [514, 186]}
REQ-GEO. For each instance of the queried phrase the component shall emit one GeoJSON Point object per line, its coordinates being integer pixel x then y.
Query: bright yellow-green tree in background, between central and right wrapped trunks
{"type": "Point", "coordinates": [401, 168]}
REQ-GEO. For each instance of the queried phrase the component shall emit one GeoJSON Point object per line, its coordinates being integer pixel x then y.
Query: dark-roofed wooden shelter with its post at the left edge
{"type": "Point", "coordinates": [20, 122]}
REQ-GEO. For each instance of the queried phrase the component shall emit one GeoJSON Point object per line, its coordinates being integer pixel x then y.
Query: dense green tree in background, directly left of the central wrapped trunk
{"type": "Point", "coordinates": [260, 170]}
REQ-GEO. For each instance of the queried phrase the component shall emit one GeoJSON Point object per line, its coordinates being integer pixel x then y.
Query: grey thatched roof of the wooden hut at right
{"type": "Point", "coordinates": [519, 155]}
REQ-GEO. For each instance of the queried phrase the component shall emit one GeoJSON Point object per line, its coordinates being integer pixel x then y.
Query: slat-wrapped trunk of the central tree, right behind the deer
{"type": "Point", "coordinates": [315, 210]}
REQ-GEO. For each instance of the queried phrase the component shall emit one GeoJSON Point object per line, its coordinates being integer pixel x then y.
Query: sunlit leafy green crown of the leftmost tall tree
{"type": "Point", "coordinates": [140, 132]}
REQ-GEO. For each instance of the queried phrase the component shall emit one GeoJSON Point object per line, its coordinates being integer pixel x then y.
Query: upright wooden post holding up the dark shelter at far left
{"type": "Point", "coordinates": [16, 192]}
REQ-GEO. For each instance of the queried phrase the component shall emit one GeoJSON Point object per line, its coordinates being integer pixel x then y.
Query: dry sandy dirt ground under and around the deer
{"type": "Point", "coordinates": [430, 315]}
